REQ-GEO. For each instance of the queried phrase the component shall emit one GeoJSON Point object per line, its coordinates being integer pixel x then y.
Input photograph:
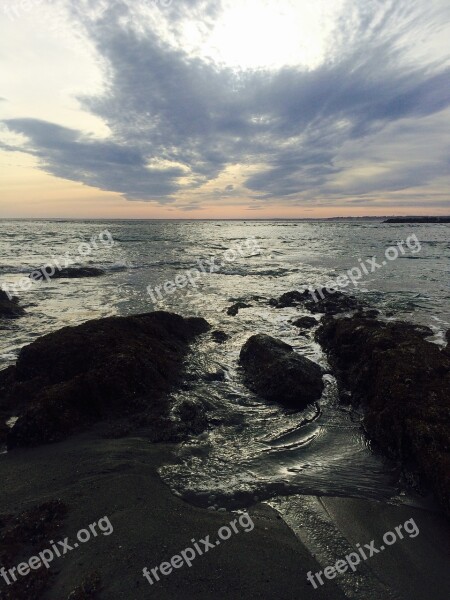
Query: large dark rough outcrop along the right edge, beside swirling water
{"type": "Point", "coordinates": [403, 383]}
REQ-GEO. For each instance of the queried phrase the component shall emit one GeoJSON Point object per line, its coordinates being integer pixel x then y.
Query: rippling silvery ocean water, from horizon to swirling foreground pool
{"type": "Point", "coordinates": [256, 450]}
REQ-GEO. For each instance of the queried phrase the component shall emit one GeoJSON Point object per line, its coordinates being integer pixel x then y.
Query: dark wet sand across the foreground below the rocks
{"type": "Point", "coordinates": [118, 478]}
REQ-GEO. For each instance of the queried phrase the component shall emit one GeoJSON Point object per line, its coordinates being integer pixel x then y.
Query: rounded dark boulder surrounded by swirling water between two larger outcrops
{"type": "Point", "coordinates": [277, 373]}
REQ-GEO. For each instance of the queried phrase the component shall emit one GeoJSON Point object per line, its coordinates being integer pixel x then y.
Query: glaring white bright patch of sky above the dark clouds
{"type": "Point", "coordinates": [252, 34]}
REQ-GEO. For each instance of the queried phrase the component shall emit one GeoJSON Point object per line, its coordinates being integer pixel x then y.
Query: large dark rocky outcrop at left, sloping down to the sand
{"type": "Point", "coordinates": [100, 369]}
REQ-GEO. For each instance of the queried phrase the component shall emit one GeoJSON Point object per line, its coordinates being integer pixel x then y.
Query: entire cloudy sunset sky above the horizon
{"type": "Point", "coordinates": [224, 109]}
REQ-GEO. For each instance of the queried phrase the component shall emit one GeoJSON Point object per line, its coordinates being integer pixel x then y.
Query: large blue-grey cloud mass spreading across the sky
{"type": "Point", "coordinates": [190, 119]}
